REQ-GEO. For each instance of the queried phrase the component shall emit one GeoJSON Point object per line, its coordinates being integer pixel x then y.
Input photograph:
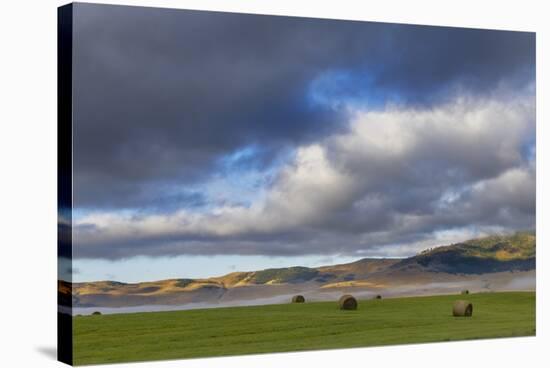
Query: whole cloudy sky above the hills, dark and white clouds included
{"type": "Point", "coordinates": [206, 143]}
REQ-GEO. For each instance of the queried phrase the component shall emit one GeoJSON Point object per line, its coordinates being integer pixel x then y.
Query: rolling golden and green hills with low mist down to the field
{"type": "Point", "coordinates": [477, 263]}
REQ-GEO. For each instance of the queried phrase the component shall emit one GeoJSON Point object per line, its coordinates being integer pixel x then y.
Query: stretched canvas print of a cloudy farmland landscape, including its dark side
{"type": "Point", "coordinates": [241, 184]}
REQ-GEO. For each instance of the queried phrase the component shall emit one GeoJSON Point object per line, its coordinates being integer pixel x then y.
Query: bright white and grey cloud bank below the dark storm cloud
{"type": "Point", "coordinates": [397, 178]}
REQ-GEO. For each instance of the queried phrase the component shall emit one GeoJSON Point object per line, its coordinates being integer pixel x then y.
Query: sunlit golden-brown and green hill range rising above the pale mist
{"type": "Point", "coordinates": [491, 254]}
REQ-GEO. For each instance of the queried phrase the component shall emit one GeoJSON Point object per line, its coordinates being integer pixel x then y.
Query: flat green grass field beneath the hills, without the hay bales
{"type": "Point", "coordinates": [295, 327]}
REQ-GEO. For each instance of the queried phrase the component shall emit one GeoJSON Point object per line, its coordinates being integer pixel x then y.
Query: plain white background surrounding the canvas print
{"type": "Point", "coordinates": [28, 204]}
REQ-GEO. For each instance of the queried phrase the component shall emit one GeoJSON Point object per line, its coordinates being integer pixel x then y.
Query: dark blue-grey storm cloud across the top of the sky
{"type": "Point", "coordinates": [161, 95]}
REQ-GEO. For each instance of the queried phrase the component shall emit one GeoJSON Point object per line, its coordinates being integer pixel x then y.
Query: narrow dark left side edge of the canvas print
{"type": "Point", "coordinates": [64, 183]}
